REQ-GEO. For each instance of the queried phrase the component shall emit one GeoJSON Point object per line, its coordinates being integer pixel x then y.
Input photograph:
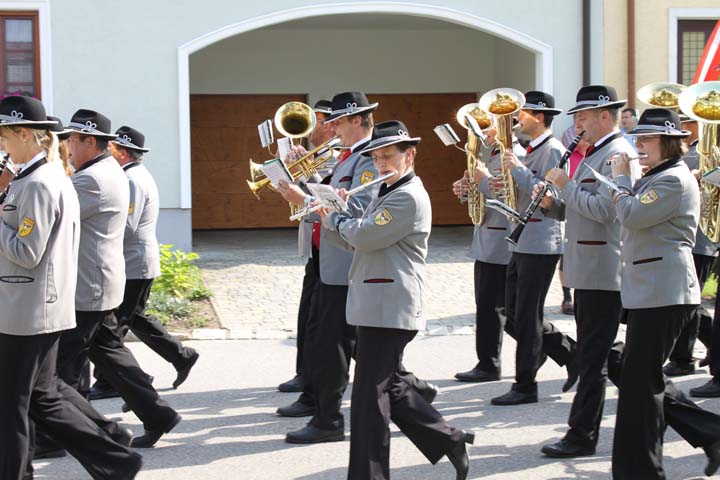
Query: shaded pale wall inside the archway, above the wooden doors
{"type": "Point", "coordinates": [283, 60]}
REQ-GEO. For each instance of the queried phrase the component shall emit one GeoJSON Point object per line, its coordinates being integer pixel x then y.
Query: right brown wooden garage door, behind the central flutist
{"type": "Point", "coordinates": [437, 165]}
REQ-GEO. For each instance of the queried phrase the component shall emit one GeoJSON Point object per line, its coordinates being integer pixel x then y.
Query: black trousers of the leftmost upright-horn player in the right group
{"type": "Point", "coordinates": [490, 321]}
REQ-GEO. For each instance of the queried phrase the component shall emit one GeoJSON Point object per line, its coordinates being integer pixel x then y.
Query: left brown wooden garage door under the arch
{"type": "Point", "coordinates": [224, 136]}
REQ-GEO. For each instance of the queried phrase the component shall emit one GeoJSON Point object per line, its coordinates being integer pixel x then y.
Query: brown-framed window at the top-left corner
{"type": "Point", "coordinates": [19, 54]}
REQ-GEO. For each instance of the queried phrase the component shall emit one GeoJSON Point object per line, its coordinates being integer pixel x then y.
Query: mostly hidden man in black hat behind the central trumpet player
{"type": "Point", "coordinates": [319, 135]}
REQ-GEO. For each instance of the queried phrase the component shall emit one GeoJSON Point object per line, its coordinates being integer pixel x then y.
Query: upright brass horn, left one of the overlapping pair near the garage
{"type": "Point", "coordinates": [475, 199]}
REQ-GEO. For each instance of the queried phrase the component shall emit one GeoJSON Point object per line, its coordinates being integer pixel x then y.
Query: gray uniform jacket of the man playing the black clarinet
{"type": "Point", "coordinates": [592, 233]}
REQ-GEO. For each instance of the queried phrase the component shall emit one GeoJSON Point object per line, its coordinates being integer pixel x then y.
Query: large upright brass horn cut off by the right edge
{"type": "Point", "coordinates": [701, 102]}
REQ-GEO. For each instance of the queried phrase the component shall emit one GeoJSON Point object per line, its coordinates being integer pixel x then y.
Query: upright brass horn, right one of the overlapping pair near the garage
{"type": "Point", "coordinates": [502, 104]}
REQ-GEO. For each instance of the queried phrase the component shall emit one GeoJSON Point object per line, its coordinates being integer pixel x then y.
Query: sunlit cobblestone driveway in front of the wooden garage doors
{"type": "Point", "coordinates": [257, 277]}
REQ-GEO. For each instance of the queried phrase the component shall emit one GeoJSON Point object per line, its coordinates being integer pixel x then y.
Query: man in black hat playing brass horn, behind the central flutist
{"type": "Point", "coordinates": [329, 339]}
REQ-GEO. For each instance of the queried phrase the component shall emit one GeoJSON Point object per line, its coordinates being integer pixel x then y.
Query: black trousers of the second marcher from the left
{"type": "Point", "coordinates": [96, 337]}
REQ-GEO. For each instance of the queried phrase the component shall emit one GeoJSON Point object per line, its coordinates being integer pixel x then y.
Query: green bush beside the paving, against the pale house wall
{"type": "Point", "coordinates": [179, 284]}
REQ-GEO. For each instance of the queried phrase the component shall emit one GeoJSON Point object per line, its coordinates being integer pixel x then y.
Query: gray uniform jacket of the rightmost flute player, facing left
{"type": "Point", "coordinates": [659, 222]}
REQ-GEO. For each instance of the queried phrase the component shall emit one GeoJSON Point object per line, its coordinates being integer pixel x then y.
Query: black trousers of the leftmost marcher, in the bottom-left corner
{"type": "Point", "coordinates": [29, 389]}
